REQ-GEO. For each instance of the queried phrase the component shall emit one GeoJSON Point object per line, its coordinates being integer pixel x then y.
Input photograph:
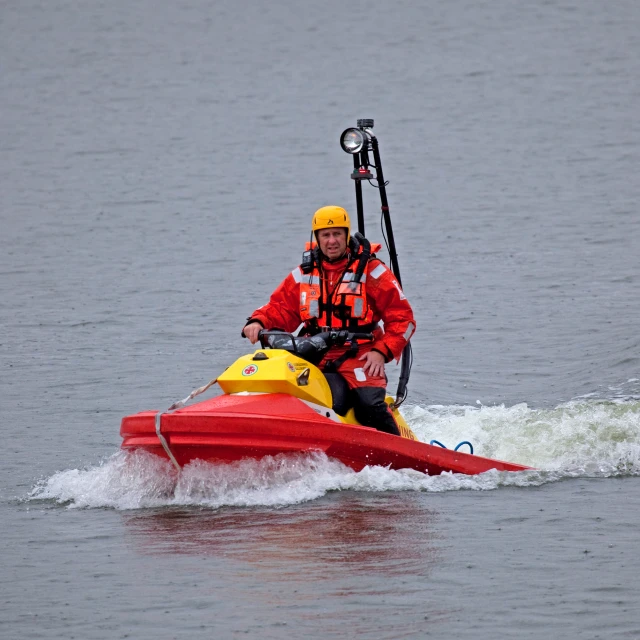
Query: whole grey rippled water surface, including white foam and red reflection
{"type": "Point", "coordinates": [160, 163]}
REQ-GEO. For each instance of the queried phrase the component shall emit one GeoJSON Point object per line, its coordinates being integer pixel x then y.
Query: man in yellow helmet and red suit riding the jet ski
{"type": "Point", "coordinates": [342, 285]}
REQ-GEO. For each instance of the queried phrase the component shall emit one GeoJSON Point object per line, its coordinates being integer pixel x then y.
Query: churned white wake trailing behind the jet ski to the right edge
{"type": "Point", "coordinates": [580, 437]}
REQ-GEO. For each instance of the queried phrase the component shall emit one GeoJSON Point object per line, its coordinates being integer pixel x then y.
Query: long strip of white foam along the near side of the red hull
{"type": "Point", "coordinates": [141, 480]}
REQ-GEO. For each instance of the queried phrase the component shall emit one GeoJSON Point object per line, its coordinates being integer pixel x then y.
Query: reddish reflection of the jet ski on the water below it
{"type": "Point", "coordinates": [390, 534]}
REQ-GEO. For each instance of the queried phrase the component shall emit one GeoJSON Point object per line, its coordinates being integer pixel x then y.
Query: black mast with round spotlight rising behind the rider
{"type": "Point", "coordinates": [359, 141]}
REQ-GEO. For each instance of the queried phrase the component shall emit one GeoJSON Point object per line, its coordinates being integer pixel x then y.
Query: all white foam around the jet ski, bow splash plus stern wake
{"type": "Point", "coordinates": [582, 438]}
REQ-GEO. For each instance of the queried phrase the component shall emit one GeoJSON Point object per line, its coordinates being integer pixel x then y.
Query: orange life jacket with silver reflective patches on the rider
{"type": "Point", "coordinates": [345, 307]}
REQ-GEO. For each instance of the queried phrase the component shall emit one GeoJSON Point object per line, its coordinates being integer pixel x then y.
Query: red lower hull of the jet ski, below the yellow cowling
{"type": "Point", "coordinates": [231, 427]}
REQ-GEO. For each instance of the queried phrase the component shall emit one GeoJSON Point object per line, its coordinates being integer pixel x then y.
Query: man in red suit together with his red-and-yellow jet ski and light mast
{"type": "Point", "coordinates": [319, 391]}
